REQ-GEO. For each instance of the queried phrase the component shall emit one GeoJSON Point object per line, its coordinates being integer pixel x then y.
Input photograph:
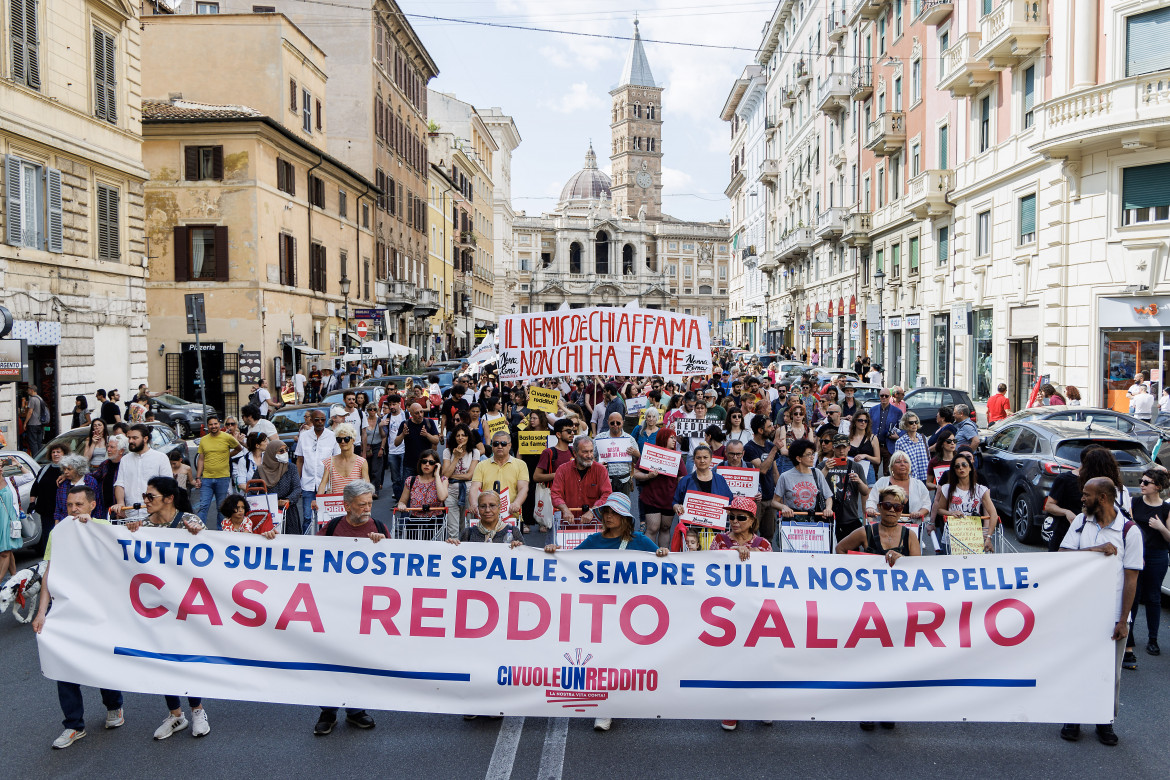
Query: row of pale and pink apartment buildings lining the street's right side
{"type": "Point", "coordinates": [1003, 185]}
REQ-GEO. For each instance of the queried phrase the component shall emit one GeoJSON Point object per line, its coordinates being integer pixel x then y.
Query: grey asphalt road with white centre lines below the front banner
{"type": "Point", "coordinates": [251, 740]}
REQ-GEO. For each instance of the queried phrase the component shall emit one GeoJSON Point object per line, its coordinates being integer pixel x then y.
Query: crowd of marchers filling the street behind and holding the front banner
{"type": "Point", "coordinates": [885, 488]}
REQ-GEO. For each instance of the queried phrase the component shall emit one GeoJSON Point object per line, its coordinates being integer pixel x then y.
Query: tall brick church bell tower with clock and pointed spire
{"type": "Point", "coordinates": [637, 127]}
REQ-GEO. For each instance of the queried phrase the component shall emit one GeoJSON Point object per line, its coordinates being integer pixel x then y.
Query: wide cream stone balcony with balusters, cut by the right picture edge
{"type": "Point", "coordinates": [1124, 115]}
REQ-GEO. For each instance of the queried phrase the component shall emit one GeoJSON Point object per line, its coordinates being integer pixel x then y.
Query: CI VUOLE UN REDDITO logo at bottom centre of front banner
{"type": "Point", "coordinates": [577, 685]}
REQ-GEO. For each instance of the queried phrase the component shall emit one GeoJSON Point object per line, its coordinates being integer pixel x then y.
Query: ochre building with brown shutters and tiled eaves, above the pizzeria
{"type": "Point", "coordinates": [245, 206]}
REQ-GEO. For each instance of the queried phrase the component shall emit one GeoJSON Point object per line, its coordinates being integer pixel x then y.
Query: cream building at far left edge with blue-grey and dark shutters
{"type": "Point", "coordinates": [73, 257]}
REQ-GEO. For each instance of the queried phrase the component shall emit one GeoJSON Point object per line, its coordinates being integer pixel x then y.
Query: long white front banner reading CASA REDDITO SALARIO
{"type": "Point", "coordinates": [481, 629]}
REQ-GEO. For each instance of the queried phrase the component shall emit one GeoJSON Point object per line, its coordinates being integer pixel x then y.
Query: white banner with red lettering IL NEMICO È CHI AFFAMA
{"type": "Point", "coordinates": [602, 341]}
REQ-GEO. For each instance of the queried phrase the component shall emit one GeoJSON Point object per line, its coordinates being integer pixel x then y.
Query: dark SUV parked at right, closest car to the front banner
{"type": "Point", "coordinates": [1021, 460]}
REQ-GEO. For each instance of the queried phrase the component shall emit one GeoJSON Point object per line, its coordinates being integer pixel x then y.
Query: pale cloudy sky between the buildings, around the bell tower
{"type": "Point", "coordinates": [556, 87]}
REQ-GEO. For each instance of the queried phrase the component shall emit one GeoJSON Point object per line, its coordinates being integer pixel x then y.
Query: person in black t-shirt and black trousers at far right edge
{"type": "Point", "coordinates": [1153, 517]}
